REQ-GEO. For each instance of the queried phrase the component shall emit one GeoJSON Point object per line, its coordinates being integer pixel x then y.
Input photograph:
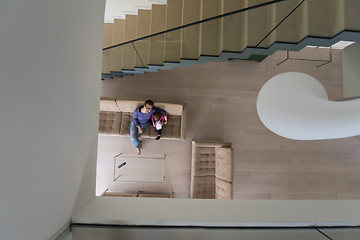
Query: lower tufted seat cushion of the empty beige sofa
{"type": "Point", "coordinates": [202, 187]}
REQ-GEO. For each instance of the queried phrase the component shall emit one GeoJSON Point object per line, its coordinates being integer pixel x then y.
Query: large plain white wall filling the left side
{"type": "Point", "coordinates": [50, 66]}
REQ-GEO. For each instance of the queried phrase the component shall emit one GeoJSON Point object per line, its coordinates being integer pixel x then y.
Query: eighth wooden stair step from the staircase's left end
{"type": "Point", "coordinates": [211, 38]}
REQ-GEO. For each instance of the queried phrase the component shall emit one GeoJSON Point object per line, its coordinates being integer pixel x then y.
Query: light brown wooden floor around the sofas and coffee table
{"type": "Point", "coordinates": [221, 100]}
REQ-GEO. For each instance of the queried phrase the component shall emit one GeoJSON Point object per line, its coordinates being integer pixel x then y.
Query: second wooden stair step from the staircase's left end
{"type": "Point", "coordinates": [117, 52]}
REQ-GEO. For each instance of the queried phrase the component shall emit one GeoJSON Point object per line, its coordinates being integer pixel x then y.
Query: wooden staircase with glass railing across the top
{"type": "Point", "coordinates": [251, 34]}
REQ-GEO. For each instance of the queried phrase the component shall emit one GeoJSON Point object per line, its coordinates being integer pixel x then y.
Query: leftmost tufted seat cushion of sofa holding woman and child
{"type": "Point", "coordinates": [109, 122]}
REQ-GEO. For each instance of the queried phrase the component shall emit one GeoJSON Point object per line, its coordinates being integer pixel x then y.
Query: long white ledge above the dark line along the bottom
{"type": "Point", "coordinates": [200, 212]}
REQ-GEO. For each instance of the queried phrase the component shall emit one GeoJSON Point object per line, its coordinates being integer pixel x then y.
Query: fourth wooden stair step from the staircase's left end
{"type": "Point", "coordinates": [143, 46]}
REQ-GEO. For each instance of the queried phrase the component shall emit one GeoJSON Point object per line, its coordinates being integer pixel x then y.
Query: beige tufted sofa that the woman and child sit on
{"type": "Point", "coordinates": [116, 116]}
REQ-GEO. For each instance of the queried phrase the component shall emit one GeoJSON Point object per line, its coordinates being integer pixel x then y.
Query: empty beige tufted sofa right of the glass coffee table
{"type": "Point", "coordinates": [211, 170]}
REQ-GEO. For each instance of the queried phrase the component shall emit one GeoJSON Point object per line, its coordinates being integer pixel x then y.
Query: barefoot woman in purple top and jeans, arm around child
{"type": "Point", "coordinates": [141, 119]}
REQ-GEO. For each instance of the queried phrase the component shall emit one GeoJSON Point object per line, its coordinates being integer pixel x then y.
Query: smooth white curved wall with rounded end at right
{"type": "Point", "coordinates": [295, 105]}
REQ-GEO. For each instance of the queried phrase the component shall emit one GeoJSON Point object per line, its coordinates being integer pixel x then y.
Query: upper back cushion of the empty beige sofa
{"type": "Point", "coordinates": [224, 164]}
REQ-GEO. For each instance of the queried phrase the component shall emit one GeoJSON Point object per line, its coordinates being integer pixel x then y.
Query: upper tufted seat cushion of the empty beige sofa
{"type": "Point", "coordinates": [204, 162]}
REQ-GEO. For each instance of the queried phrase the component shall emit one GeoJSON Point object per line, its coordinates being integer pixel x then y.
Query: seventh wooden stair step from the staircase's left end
{"type": "Point", "coordinates": [191, 35]}
